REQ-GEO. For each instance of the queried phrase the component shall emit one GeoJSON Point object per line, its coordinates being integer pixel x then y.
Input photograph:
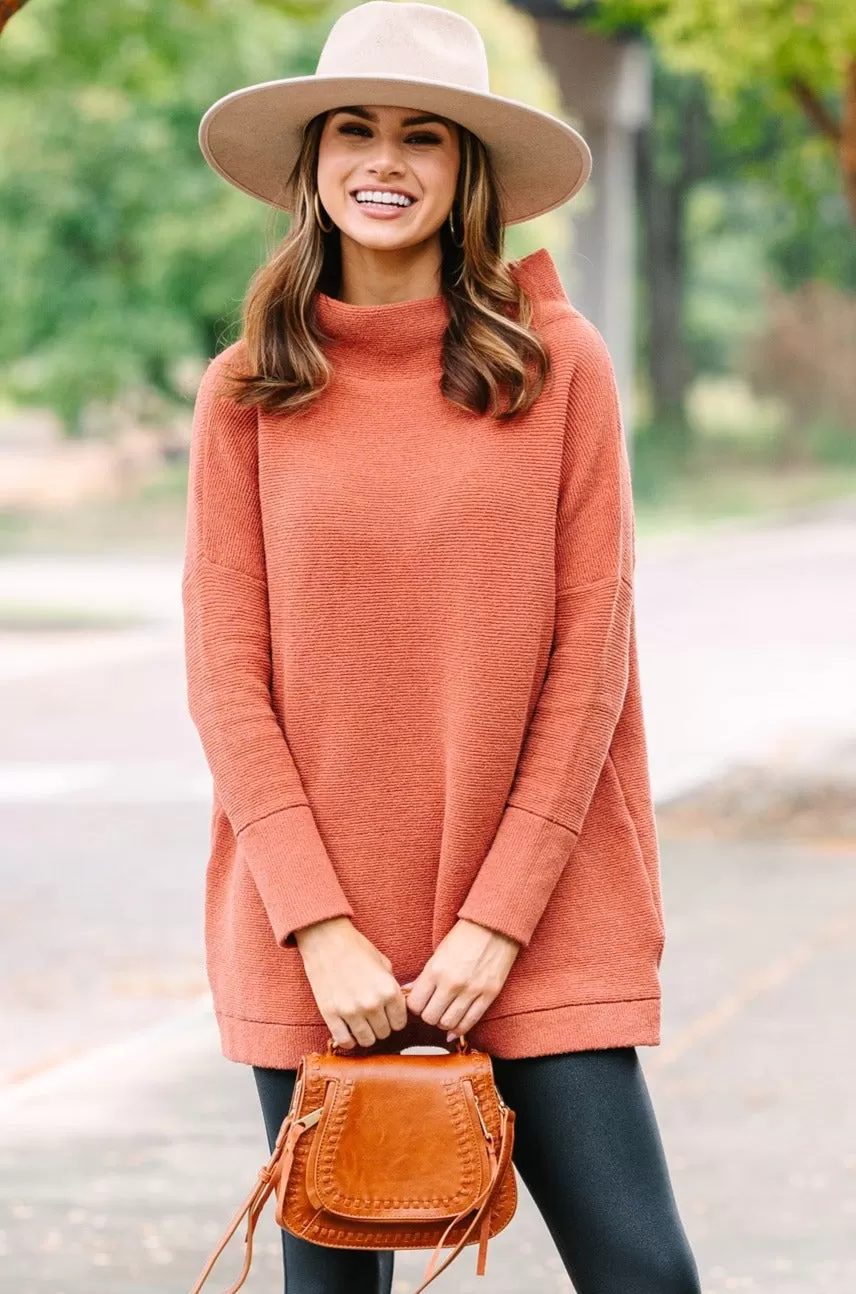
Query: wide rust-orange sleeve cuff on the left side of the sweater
{"type": "Point", "coordinates": [293, 872]}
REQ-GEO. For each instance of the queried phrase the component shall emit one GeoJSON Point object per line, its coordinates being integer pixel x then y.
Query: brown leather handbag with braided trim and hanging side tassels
{"type": "Point", "coordinates": [390, 1152]}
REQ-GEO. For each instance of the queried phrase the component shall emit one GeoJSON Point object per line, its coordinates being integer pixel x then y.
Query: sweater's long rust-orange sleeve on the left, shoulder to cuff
{"type": "Point", "coordinates": [227, 631]}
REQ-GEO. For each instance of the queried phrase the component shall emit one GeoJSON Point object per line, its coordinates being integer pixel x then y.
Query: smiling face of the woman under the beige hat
{"type": "Point", "coordinates": [399, 149]}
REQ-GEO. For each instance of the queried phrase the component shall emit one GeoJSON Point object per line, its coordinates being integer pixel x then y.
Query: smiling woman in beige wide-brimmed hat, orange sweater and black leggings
{"type": "Point", "coordinates": [411, 637]}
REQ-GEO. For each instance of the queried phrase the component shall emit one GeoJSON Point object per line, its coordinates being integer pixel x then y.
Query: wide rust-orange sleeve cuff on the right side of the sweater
{"type": "Point", "coordinates": [519, 874]}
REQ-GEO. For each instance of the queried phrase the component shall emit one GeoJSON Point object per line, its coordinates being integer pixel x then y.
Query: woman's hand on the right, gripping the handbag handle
{"type": "Point", "coordinates": [462, 978]}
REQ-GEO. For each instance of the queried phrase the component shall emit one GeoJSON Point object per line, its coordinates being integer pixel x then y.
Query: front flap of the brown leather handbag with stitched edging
{"type": "Point", "coordinates": [399, 1139]}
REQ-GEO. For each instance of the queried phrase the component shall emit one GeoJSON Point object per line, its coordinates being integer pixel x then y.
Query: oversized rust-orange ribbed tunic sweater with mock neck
{"type": "Point", "coordinates": [412, 663]}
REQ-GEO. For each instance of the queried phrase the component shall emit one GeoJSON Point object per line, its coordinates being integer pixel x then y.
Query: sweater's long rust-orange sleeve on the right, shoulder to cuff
{"type": "Point", "coordinates": [572, 725]}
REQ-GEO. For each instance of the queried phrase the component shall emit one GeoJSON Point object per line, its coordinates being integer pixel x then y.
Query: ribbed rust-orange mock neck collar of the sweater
{"type": "Point", "coordinates": [405, 338]}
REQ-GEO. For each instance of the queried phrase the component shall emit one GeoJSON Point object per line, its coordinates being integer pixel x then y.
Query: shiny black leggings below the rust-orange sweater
{"type": "Point", "coordinates": [588, 1147]}
